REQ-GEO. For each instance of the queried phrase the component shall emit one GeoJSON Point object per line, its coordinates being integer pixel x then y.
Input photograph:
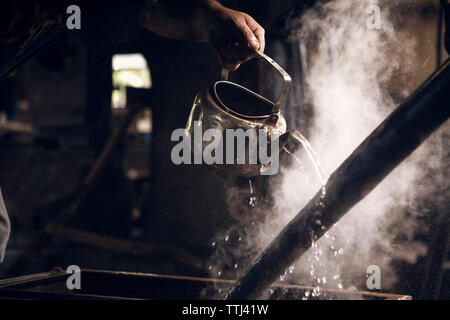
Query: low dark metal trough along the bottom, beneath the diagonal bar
{"type": "Point", "coordinates": [105, 284]}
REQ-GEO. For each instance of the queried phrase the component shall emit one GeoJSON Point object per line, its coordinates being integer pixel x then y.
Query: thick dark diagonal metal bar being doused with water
{"type": "Point", "coordinates": [388, 145]}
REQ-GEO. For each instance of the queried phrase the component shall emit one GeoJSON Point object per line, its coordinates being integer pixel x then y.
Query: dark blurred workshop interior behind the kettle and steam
{"type": "Point", "coordinates": [177, 209]}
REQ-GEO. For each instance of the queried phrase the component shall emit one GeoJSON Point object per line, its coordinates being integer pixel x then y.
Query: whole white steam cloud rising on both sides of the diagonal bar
{"type": "Point", "coordinates": [353, 80]}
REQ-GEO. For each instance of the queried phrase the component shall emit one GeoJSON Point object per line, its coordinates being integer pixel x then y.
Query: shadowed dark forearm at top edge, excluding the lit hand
{"type": "Point", "coordinates": [186, 20]}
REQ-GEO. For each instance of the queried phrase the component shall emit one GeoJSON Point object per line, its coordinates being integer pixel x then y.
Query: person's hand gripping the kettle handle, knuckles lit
{"type": "Point", "coordinates": [234, 36]}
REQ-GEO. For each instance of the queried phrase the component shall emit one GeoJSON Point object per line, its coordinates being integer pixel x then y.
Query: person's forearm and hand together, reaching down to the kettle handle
{"type": "Point", "coordinates": [234, 36]}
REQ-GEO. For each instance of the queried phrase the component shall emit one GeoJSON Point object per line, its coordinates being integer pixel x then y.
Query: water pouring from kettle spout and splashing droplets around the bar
{"type": "Point", "coordinates": [233, 245]}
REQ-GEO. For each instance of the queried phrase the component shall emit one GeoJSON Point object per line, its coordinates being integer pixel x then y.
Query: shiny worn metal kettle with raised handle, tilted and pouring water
{"type": "Point", "coordinates": [227, 105]}
